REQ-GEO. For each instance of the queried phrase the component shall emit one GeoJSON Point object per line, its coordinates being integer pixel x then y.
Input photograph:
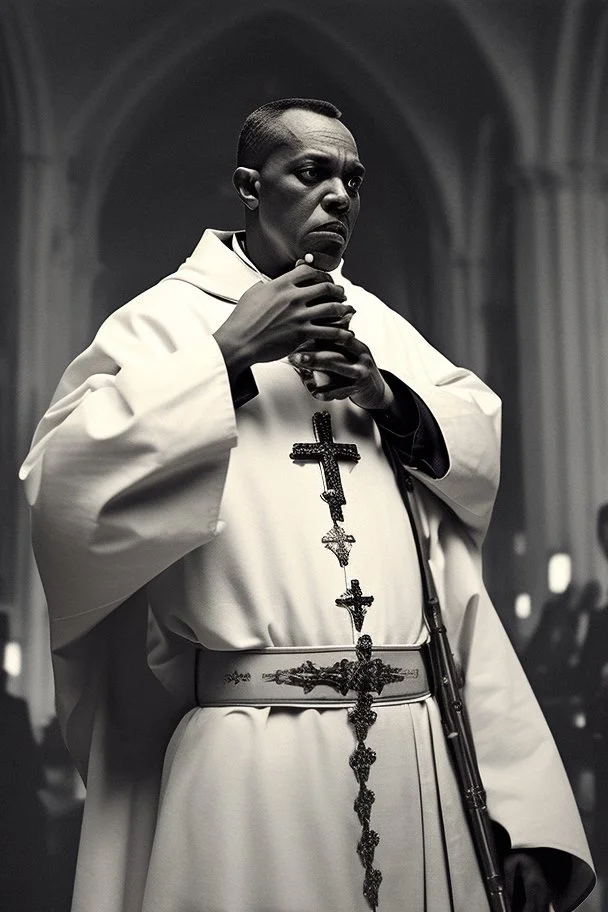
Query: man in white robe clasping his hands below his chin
{"type": "Point", "coordinates": [214, 469]}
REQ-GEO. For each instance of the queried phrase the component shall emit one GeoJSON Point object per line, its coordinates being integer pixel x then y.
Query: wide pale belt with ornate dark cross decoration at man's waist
{"type": "Point", "coordinates": [330, 676]}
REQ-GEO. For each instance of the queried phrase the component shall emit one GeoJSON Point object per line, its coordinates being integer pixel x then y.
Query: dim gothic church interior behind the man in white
{"type": "Point", "coordinates": [483, 126]}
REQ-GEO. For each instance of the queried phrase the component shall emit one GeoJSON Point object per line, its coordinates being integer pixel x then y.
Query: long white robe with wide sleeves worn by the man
{"type": "Point", "coordinates": [151, 496]}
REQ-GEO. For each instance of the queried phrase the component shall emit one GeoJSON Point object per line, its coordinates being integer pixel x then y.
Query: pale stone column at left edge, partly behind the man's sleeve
{"type": "Point", "coordinates": [54, 324]}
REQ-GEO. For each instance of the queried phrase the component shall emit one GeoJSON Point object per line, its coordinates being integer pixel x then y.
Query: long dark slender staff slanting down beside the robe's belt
{"type": "Point", "coordinates": [447, 690]}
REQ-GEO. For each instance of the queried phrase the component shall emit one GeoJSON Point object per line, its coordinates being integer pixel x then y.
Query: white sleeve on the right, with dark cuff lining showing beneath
{"type": "Point", "coordinates": [466, 411]}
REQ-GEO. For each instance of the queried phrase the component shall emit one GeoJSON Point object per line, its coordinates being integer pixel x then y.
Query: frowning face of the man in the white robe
{"type": "Point", "coordinates": [308, 193]}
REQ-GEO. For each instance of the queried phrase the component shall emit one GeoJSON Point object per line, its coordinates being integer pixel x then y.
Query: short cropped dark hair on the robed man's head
{"type": "Point", "coordinates": [261, 133]}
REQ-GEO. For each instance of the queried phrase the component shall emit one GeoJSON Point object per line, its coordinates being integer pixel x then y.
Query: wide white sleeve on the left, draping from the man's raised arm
{"type": "Point", "coordinates": [127, 467]}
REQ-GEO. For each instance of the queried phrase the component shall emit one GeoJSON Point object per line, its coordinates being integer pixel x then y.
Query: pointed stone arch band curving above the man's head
{"type": "Point", "coordinates": [108, 125]}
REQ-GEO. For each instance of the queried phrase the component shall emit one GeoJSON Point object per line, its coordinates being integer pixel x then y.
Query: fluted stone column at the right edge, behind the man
{"type": "Point", "coordinates": [561, 293]}
